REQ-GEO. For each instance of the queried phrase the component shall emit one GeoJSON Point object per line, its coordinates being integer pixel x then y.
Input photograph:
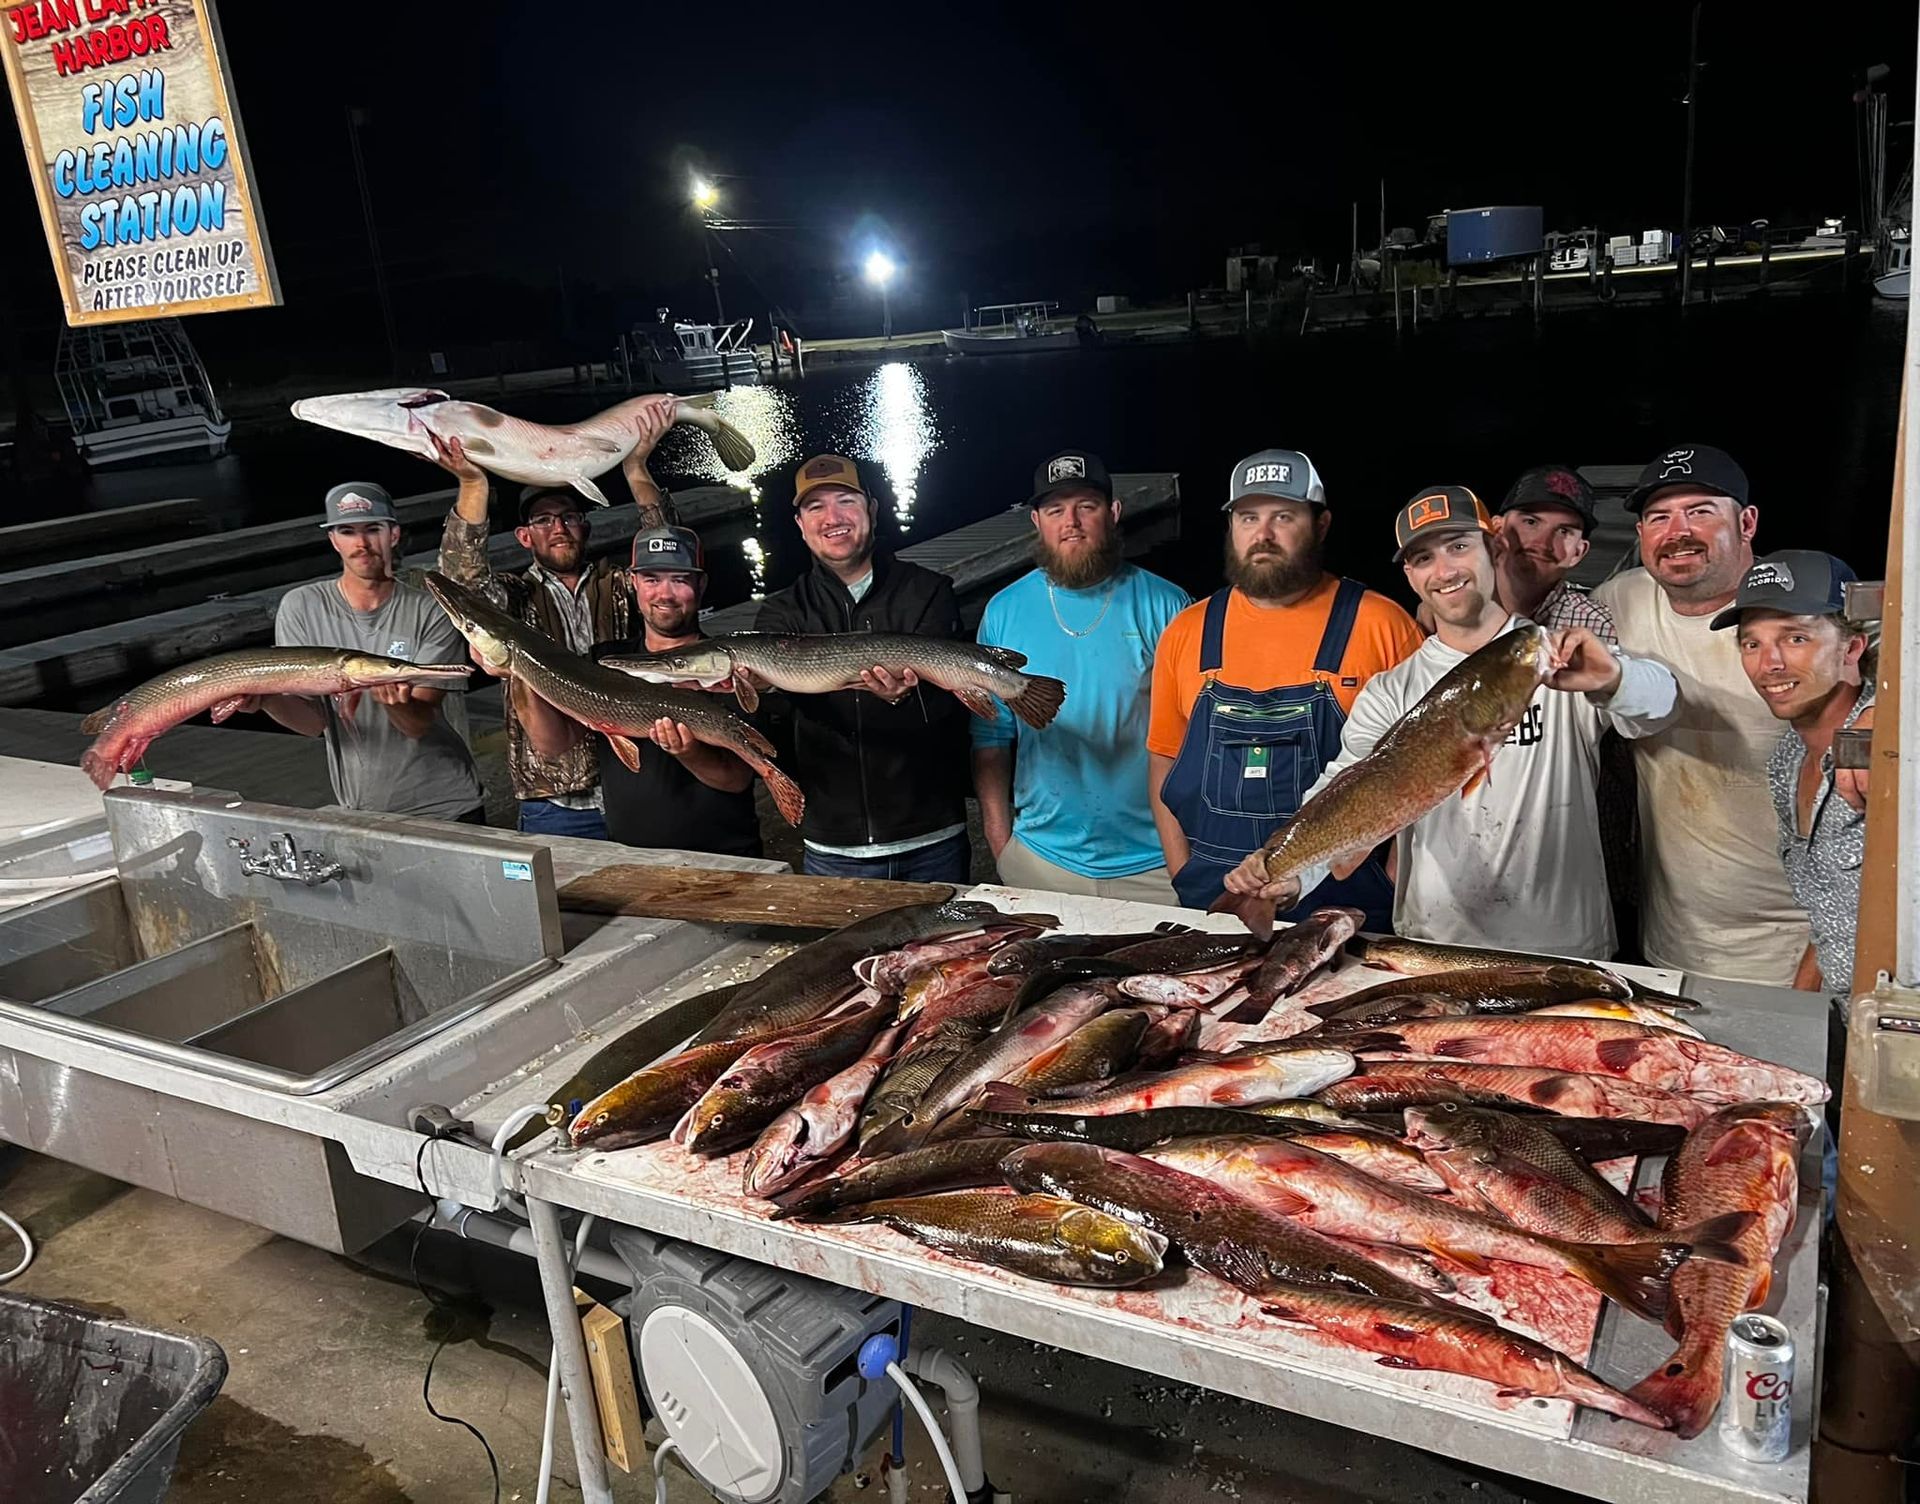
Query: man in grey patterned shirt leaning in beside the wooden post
{"type": "Point", "coordinates": [1815, 671]}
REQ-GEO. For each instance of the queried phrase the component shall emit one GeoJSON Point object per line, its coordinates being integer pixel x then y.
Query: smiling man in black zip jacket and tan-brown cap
{"type": "Point", "coordinates": [884, 767]}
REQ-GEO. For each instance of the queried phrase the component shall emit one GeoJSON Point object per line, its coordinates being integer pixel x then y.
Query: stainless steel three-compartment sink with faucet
{"type": "Point", "coordinates": [279, 948]}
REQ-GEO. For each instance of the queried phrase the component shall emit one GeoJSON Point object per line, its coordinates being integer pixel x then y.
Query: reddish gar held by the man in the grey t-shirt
{"type": "Point", "coordinates": [220, 685]}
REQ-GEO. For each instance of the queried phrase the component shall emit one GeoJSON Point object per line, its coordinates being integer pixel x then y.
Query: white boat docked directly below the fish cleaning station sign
{"type": "Point", "coordinates": [137, 391]}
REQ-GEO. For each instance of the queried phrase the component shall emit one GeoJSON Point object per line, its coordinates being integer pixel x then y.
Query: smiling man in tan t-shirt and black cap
{"type": "Point", "coordinates": [1716, 900]}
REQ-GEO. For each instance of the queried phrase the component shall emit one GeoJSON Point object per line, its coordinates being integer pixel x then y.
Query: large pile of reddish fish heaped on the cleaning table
{"type": "Point", "coordinates": [1093, 1109]}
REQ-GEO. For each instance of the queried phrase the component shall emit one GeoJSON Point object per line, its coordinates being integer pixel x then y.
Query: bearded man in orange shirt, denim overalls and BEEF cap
{"type": "Point", "coordinates": [1253, 687]}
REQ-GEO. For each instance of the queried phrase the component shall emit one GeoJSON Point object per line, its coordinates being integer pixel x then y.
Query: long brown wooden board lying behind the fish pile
{"type": "Point", "coordinates": [742, 898]}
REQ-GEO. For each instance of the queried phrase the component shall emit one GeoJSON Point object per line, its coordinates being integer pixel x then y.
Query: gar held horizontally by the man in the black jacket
{"type": "Point", "coordinates": [817, 666]}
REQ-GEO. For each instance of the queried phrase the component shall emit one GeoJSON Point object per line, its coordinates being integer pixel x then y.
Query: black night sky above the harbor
{"type": "Point", "coordinates": [531, 164]}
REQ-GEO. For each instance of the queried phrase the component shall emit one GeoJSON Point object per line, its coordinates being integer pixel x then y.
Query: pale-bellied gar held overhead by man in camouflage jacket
{"type": "Point", "coordinates": [571, 454]}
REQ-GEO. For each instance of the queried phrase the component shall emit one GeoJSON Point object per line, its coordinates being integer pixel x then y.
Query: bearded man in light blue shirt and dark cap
{"type": "Point", "coordinates": [1065, 810]}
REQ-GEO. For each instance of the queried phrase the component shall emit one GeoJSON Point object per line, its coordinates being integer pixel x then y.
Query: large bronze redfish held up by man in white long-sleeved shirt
{"type": "Point", "coordinates": [1439, 748]}
